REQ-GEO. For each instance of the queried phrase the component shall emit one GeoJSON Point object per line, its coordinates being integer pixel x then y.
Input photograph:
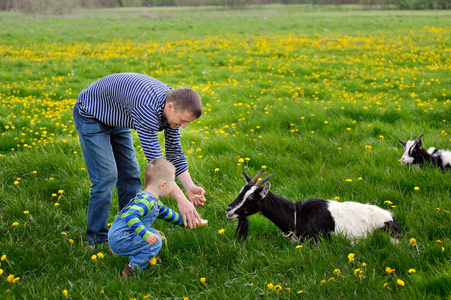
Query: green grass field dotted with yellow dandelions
{"type": "Point", "coordinates": [317, 96]}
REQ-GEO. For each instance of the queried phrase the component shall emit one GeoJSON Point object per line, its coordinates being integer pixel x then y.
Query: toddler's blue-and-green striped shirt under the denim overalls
{"type": "Point", "coordinates": [142, 205]}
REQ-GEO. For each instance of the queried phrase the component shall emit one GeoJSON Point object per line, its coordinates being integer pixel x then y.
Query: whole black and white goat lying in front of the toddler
{"type": "Point", "coordinates": [309, 219]}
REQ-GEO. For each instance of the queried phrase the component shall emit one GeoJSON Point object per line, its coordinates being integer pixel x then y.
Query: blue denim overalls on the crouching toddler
{"type": "Point", "coordinates": [124, 241]}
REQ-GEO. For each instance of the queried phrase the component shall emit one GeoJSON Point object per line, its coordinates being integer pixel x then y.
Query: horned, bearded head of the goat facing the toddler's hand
{"type": "Point", "coordinates": [248, 202]}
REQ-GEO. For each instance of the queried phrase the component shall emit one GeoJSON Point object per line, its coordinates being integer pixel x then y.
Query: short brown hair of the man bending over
{"type": "Point", "coordinates": [185, 99]}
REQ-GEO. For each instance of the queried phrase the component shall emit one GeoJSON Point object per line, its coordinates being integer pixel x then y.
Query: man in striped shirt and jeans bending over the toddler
{"type": "Point", "coordinates": [104, 113]}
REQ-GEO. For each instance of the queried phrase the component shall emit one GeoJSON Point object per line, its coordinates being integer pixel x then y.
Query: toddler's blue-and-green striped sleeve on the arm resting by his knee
{"type": "Point", "coordinates": [133, 214]}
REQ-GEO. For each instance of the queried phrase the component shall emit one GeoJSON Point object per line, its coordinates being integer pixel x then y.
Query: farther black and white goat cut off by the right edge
{"type": "Point", "coordinates": [414, 153]}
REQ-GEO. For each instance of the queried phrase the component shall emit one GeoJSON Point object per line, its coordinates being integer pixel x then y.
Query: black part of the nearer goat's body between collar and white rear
{"type": "Point", "coordinates": [313, 219]}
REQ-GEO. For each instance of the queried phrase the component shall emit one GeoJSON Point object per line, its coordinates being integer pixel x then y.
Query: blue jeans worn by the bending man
{"type": "Point", "coordinates": [111, 160]}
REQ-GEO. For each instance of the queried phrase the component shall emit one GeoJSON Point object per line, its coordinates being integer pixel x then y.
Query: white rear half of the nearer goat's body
{"type": "Point", "coordinates": [354, 219]}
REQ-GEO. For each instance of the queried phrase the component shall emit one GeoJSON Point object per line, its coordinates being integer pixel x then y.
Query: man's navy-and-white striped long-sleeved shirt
{"type": "Point", "coordinates": [136, 101]}
